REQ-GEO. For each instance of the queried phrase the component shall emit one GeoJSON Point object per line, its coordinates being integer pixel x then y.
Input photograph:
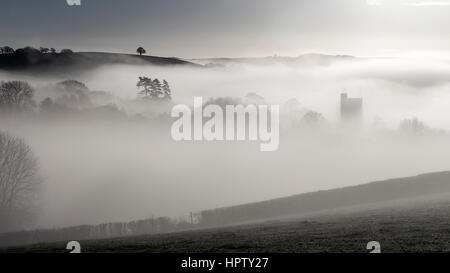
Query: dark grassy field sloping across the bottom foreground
{"type": "Point", "coordinates": [407, 226]}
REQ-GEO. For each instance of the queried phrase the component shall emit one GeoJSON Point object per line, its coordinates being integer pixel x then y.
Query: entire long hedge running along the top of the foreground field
{"type": "Point", "coordinates": [363, 198]}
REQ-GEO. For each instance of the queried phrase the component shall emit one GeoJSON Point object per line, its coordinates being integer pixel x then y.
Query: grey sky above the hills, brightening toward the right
{"type": "Point", "coordinates": [230, 28]}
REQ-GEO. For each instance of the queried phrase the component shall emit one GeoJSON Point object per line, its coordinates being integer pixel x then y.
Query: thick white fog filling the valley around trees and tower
{"type": "Point", "coordinates": [101, 171]}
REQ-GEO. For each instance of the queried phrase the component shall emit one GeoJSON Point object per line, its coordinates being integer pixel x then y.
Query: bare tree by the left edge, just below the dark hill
{"type": "Point", "coordinates": [16, 95]}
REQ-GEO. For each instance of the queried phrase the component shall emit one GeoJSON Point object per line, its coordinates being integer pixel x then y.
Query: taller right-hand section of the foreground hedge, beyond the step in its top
{"type": "Point", "coordinates": [376, 192]}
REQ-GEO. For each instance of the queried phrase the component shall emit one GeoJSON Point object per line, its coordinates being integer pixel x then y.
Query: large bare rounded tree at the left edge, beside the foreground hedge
{"type": "Point", "coordinates": [19, 181]}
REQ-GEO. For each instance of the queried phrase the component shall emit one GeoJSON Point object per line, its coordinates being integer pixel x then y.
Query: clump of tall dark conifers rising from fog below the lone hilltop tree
{"type": "Point", "coordinates": [154, 89]}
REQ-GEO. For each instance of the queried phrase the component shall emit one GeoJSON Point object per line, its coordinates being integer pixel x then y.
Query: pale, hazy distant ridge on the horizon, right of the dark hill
{"type": "Point", "coordinates": [305, 59]}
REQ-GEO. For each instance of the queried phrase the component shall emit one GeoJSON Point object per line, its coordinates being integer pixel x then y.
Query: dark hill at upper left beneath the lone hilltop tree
{"type": "Point", "coordinates": [50, 62]}
